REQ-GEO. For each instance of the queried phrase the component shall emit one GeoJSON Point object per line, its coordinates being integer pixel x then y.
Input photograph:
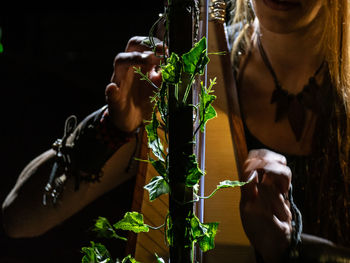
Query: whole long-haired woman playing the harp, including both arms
{"type": "Point", "coordinates": [297, 40]}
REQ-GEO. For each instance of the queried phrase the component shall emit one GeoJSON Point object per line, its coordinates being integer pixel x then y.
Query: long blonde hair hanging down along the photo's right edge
{"type": "Point", "coordinates": [337, 50]}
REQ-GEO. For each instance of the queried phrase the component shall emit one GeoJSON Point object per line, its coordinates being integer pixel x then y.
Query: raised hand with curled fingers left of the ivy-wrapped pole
{"type": "Point", "coordinates": [127, 96]}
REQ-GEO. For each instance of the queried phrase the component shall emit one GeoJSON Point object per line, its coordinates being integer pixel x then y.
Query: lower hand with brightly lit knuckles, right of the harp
{"type": "Point", "coordinates": [265, 212]}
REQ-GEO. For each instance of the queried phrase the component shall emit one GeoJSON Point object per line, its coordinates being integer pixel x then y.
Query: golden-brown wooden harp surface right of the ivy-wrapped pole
{"type": "Point", "coordinates": [225, 151]}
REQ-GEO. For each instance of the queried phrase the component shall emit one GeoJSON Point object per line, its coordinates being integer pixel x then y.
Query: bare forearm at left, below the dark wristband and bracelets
{"type": "Point", "coordinates": [25, 215]}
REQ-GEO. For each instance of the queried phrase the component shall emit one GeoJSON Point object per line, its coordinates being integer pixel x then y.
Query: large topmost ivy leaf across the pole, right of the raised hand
{"type": "Point", "coordinates": [195, 60]}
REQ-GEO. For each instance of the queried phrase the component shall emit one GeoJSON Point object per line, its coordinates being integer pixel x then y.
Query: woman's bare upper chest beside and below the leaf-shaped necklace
{"type": "Point", "coordinates": [259, 116]}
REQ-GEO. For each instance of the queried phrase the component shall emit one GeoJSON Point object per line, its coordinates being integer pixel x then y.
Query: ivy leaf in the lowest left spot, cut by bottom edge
{"type": "Point", "coordinates": [97, 253]}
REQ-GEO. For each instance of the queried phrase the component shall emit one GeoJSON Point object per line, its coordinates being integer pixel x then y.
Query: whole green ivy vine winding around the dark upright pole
{"type": "Point", "coordinates": [174, 69]}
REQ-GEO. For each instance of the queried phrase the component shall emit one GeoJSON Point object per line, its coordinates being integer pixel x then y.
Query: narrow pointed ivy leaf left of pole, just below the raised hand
{"type": "Point", "coordinates": [154, 142]}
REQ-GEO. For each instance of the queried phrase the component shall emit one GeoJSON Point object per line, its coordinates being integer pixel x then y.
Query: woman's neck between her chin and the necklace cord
{"type": "Point", "coordinates": [294, 56]}
